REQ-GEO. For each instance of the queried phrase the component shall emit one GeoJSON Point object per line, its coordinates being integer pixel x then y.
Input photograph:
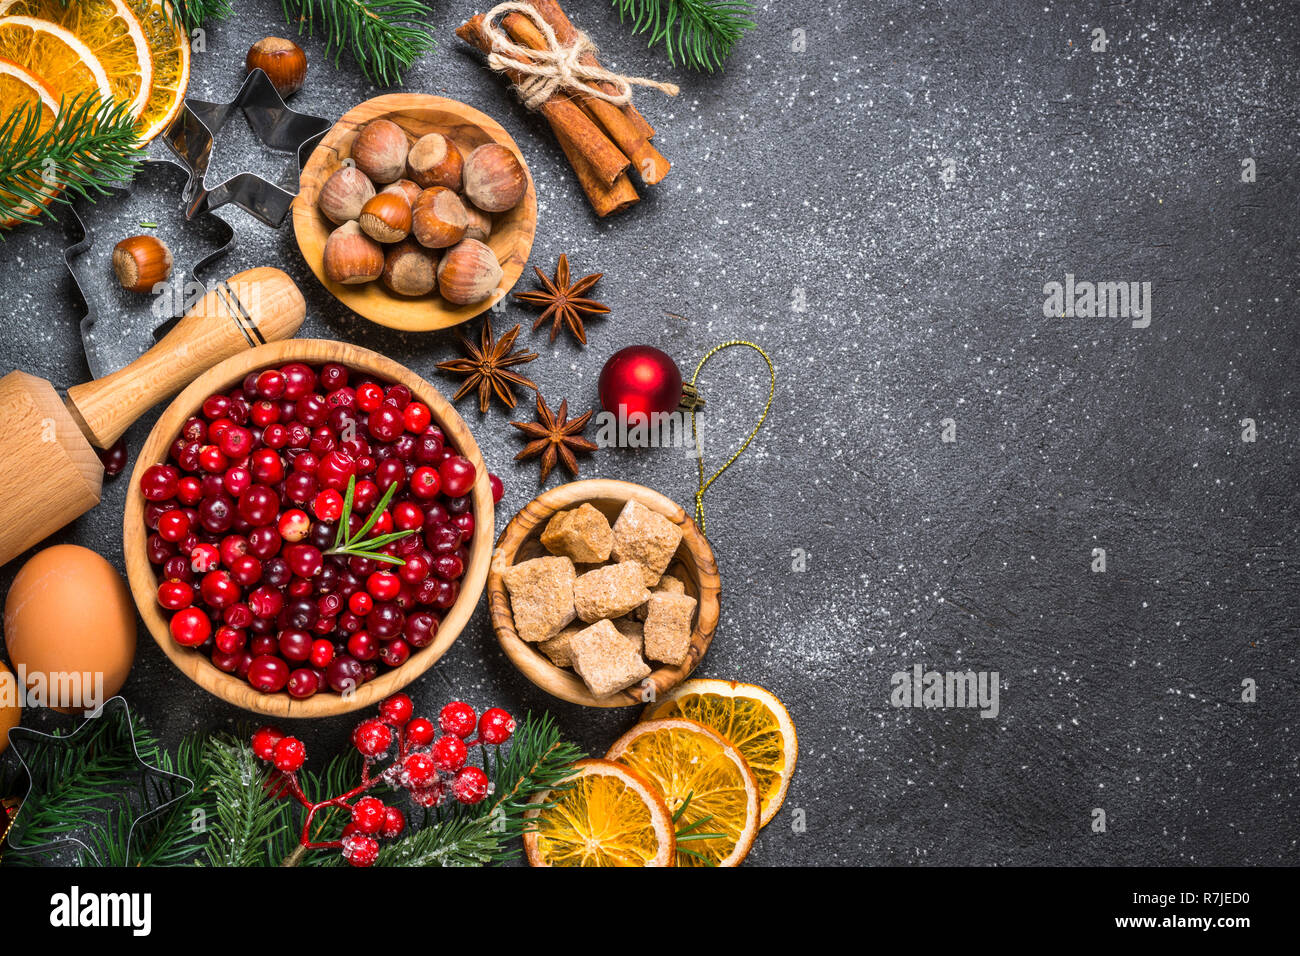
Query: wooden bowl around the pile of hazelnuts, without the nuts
{"type": "Point", "coordinates": [417, 114]}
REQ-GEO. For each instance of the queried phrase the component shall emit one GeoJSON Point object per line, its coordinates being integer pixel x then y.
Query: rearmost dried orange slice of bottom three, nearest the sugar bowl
{"type": "Point", "coordinates": [749, 717]}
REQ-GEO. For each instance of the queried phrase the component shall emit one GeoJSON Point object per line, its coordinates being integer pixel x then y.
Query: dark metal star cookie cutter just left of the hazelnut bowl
{"type": "Point", "coordinates": [194, 133]}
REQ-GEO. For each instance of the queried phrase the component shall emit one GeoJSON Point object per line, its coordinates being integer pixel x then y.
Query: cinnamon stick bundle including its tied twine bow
{"type": "Point", "coordinates": [554, 68]}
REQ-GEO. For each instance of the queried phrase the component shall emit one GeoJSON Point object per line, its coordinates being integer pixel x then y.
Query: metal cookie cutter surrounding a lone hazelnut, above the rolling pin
{"type": "Point", "coordinates": [145, 205]}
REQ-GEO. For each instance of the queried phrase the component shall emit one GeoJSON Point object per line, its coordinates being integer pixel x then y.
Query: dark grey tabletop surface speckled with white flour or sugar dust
{"type": "Point", "coordinates": [824, 176]}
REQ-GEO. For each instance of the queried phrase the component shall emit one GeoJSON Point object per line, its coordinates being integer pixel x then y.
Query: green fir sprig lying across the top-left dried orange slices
{"type": "Point", "coordinates": [90, 148]}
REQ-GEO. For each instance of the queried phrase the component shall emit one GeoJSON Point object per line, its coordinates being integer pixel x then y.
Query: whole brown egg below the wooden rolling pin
{"type": "Point", "coordinates": [70, 628]}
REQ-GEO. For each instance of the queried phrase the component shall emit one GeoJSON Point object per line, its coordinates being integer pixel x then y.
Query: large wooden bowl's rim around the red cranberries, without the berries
{"type": "Point", "coordinates": [145, 581]}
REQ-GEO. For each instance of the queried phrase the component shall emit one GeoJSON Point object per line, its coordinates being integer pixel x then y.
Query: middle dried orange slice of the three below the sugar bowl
{"type": "Point", "coordinates": [707, 784]}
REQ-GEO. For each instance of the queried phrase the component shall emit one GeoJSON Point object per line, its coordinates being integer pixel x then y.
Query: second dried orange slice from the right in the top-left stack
{"type": "Point", "coordinates": [111, 32]}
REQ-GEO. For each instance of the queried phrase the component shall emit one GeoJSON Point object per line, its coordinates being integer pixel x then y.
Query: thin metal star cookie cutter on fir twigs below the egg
{"type": "Point", "coordinates": [174, 789]}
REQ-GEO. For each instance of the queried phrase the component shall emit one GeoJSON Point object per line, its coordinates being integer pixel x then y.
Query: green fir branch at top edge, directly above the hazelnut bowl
{"type": "Point", "coordinates": [385, 37]}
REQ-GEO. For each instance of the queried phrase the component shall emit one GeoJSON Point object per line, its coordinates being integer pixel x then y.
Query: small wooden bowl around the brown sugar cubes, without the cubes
{"type": "Point", "coordinates": [694, 564]}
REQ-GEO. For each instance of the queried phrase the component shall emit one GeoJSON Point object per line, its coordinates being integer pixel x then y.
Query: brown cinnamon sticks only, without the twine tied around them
{"type": "Point", "coordinates": [601, 141]}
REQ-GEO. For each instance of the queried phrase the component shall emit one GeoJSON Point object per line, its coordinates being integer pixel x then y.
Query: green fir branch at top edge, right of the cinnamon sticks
{"type": "Point", "coordinates": [696, 33]}
